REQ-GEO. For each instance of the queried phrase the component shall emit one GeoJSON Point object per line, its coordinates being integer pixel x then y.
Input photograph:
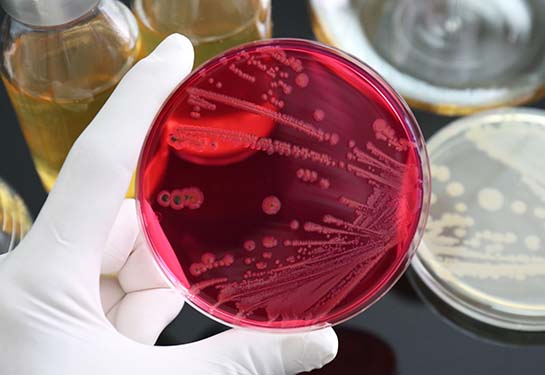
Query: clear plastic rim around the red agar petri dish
{"type": "Point", "coordinates": [399, 107]}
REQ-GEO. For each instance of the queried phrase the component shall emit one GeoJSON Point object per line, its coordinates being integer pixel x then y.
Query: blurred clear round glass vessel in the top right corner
{"type": "Point", "coordinates": [451, 57]}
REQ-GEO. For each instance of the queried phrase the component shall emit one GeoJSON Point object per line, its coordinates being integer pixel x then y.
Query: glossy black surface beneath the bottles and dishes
{"type": "Point", "coordinates": [401, 334]}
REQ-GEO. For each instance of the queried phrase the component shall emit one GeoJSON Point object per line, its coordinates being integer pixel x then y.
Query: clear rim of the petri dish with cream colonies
{"type": "Point", "coordinates": [466, 303]}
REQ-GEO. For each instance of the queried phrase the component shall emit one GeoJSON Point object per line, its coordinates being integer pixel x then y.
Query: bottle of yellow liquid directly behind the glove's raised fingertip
{"type": "Point", "coordinates": [213, 26]}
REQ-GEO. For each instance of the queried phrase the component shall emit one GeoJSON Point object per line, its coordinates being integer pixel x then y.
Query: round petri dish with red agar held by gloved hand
{"type": "Point", "coordinates": [283, 185]}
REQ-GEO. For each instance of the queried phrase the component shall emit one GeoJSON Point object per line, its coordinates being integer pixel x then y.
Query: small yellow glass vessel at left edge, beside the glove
{"type": "Point", "coordinates": [14, 218]}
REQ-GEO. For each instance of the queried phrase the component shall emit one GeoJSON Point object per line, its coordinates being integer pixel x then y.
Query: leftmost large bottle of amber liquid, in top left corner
{"type": "Point", "coordinates": [61, 60]}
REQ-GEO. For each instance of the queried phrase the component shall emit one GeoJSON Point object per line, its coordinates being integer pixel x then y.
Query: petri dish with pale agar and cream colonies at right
{"type": "Point", "coordinates": [483, 251]}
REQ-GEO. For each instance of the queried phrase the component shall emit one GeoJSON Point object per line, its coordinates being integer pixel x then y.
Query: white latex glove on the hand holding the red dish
{"type": "Point", "coordinates": [52, 317]}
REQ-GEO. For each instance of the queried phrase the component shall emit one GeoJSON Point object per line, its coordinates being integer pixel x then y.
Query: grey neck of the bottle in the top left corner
{"type": "Point", "coordinates": [47, 13]}
